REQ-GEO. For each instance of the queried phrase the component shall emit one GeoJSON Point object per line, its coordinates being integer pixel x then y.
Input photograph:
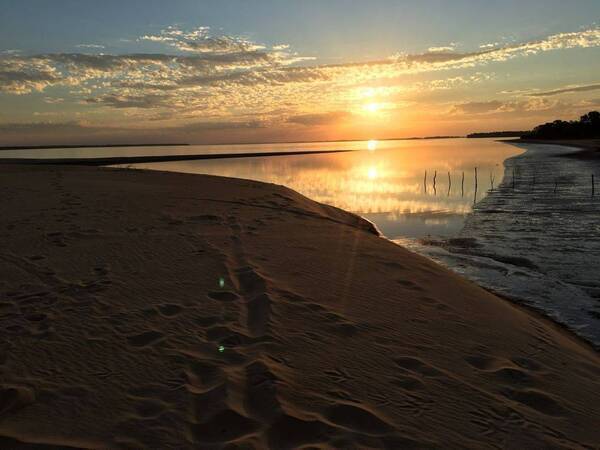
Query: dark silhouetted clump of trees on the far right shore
{"type": "Point", "coordinates": [587, 127]}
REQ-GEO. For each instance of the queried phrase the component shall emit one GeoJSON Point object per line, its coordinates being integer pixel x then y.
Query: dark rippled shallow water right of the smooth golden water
{"type": "Point", "coordinates": [536, 241]}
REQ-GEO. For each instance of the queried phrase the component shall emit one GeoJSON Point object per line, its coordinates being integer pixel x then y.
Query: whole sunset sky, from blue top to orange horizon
{"type": "Point", "coordinates": [223, 71]}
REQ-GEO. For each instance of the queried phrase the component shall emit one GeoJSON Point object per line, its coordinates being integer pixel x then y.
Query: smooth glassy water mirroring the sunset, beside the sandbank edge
{"type": "Point", "coordinates": [384, 181]}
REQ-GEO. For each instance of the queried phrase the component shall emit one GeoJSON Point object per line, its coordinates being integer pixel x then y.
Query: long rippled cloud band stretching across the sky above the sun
{"type": "Point", "coordinates": [216, 61]}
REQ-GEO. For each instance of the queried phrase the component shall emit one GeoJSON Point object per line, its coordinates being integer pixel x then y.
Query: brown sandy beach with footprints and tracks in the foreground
{"type": "Point", "coordinates": [157, 310]}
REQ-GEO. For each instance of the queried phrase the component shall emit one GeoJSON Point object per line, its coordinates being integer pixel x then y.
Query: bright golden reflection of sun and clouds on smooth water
{"type": "Point", "coordinates": [387, 181]}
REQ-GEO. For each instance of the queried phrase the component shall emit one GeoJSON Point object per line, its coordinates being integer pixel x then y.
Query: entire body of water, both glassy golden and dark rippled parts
{"type": "Point", "coordinates": [537, 241]}
